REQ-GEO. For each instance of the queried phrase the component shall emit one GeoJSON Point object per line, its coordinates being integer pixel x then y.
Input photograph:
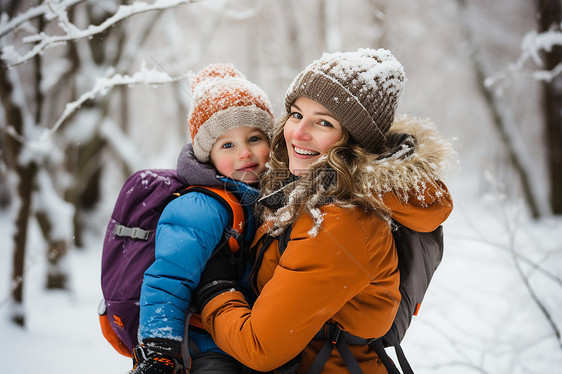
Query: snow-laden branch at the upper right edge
{"type": "Point", "coordinates": [531, 47]}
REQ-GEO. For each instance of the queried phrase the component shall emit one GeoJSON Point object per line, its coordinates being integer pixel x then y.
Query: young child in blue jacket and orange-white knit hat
{"type": "Point", "coordinates": [230, 123]}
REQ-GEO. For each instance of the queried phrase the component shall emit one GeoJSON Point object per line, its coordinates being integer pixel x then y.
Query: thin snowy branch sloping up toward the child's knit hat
{"type": "Point", "coordinates": [103, 85]}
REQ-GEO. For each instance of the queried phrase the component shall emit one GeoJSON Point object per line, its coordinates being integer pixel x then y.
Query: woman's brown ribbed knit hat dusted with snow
{"type": "Point", "coordinates": [361, 89]}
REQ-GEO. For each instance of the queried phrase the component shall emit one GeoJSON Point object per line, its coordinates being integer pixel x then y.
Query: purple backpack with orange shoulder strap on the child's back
{"type": "Point", "coordinates": [128, 248]}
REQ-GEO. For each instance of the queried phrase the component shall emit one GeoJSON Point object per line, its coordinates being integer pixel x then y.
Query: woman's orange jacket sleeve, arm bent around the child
{"type": "Point", "coordinates": [315, 278]}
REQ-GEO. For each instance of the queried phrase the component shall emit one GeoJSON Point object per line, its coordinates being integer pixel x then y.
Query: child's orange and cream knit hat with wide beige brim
{"type": "Point", "coordinates": [223, 99]}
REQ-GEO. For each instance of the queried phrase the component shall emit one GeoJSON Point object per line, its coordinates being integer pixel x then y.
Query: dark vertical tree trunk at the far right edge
{"type": "Point", "coordinates": [550, 16]}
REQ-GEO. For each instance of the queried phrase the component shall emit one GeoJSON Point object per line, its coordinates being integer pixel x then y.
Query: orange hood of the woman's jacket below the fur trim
{"type": "Point", "coordinates": [423, 212]}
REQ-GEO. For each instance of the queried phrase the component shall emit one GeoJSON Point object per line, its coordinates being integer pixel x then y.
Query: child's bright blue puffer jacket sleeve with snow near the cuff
{"type": "Point", "coordinates": [189, 228]}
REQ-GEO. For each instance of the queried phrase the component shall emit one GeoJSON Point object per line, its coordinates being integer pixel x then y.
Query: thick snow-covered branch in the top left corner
{"type": "Point", "coordinates": [71, 33]}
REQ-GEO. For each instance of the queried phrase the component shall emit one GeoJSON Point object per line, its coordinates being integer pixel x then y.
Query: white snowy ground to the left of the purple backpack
{"type": "Point", "coordinates": [63, 333]}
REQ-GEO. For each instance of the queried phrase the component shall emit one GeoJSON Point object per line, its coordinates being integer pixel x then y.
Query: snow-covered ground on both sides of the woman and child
{"type": "Point", "coordinates": [478, 317]}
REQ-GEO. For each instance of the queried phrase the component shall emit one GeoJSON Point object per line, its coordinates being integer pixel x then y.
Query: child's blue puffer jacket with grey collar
{"type": "Point", "coordinates": [189, 229]}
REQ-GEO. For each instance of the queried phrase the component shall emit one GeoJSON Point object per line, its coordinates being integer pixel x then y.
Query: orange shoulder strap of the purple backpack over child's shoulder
{"type": "Point", "coordinates": [230, 202]}
